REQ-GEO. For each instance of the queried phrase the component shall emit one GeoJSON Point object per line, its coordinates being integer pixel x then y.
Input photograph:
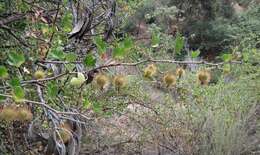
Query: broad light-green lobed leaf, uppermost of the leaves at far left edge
{"type": "Point", "coordinates": [16, 59]}
